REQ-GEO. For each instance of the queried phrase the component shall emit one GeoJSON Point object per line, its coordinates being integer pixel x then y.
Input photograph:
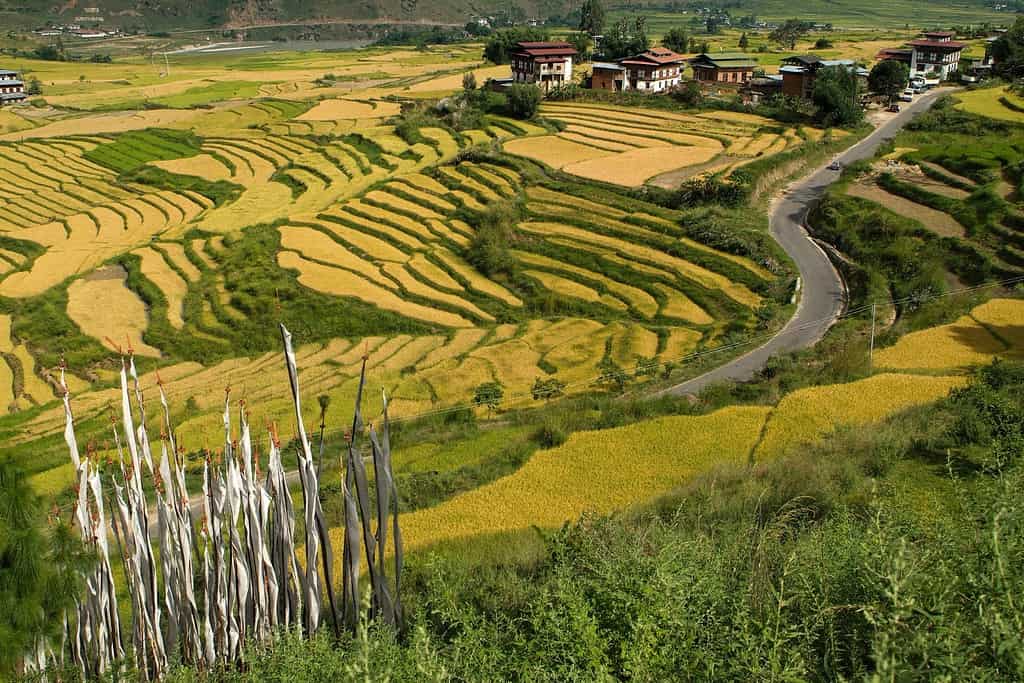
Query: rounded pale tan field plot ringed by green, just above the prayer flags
{"type": "Point", "coordinates": [103, 307]}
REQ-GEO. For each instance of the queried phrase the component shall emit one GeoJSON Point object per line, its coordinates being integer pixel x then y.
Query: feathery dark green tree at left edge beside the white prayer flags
{"type": "Point", "coordinates": [40, 571]}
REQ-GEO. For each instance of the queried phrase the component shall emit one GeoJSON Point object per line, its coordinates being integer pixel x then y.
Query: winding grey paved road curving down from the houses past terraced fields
{"type": "Point", "coordinates": [824, 294]}
